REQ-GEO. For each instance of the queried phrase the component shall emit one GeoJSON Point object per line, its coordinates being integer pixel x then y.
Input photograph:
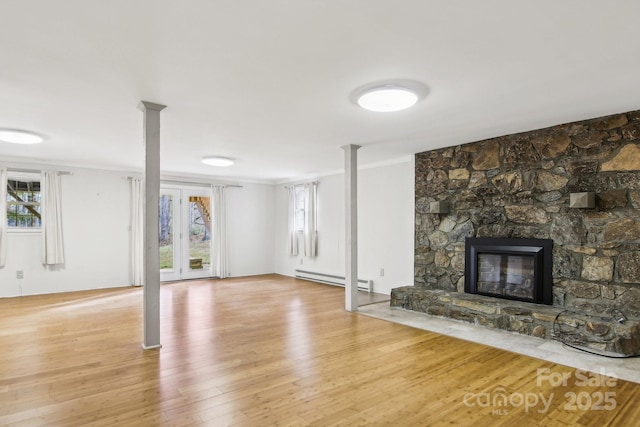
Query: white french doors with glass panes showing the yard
{"type": "Point", "coordinates": [185, 233]}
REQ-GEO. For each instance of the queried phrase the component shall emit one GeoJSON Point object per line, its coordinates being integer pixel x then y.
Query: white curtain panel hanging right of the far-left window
{"type": "Point", "coordinates": [51, 204]}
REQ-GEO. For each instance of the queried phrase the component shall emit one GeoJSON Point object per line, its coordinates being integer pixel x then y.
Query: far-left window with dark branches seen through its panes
{"type": "Point", "coordinates": [23, 201]}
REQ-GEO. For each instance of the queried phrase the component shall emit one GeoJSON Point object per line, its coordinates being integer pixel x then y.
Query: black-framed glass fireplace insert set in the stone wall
{"type": "Point", "coordinates": [510, 268]}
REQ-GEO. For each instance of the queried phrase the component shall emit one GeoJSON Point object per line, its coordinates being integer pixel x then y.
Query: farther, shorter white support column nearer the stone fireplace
{"type": "Point", "coordinates": [351, 226]}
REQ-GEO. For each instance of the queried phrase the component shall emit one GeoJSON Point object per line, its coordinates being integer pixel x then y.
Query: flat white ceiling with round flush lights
{"type": "Point", "coordinates": [269, 83]}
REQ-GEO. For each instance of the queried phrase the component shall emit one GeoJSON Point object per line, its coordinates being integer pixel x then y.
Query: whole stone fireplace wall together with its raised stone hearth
{"type": "Point", "coordinates": [518, 187]}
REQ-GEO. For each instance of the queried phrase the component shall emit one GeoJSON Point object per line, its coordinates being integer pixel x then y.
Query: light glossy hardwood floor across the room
{"type": "Point", "coordinates": [271, 350]}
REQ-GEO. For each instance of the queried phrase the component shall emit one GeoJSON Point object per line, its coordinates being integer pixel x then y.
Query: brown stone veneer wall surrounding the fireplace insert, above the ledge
{"type": "Point", "coordinates": [519, 186]}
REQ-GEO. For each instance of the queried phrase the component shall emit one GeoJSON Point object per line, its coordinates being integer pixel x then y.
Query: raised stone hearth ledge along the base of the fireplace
{"type": "Point", "coordinates": [598, 332]}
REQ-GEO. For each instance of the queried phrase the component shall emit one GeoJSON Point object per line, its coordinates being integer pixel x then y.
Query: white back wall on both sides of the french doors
{"type": "Point", "coordinates": [96, 229]}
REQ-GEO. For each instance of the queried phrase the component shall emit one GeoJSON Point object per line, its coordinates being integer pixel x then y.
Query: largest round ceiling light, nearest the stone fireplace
{"type": "Point", "coordinates": [389, 96]}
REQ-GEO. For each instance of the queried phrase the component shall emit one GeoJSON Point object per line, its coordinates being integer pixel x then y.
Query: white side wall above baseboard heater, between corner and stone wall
{"type": "Point", "coordinates": [385, 227]}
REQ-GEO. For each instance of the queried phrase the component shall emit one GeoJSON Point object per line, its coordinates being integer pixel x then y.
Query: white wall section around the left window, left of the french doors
{"type": "Point", "coordinates": [96, 239]}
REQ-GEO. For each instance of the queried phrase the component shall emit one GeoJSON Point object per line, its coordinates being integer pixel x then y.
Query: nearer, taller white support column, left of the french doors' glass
{"type": "Point", "coordinates": [151, 256]}
